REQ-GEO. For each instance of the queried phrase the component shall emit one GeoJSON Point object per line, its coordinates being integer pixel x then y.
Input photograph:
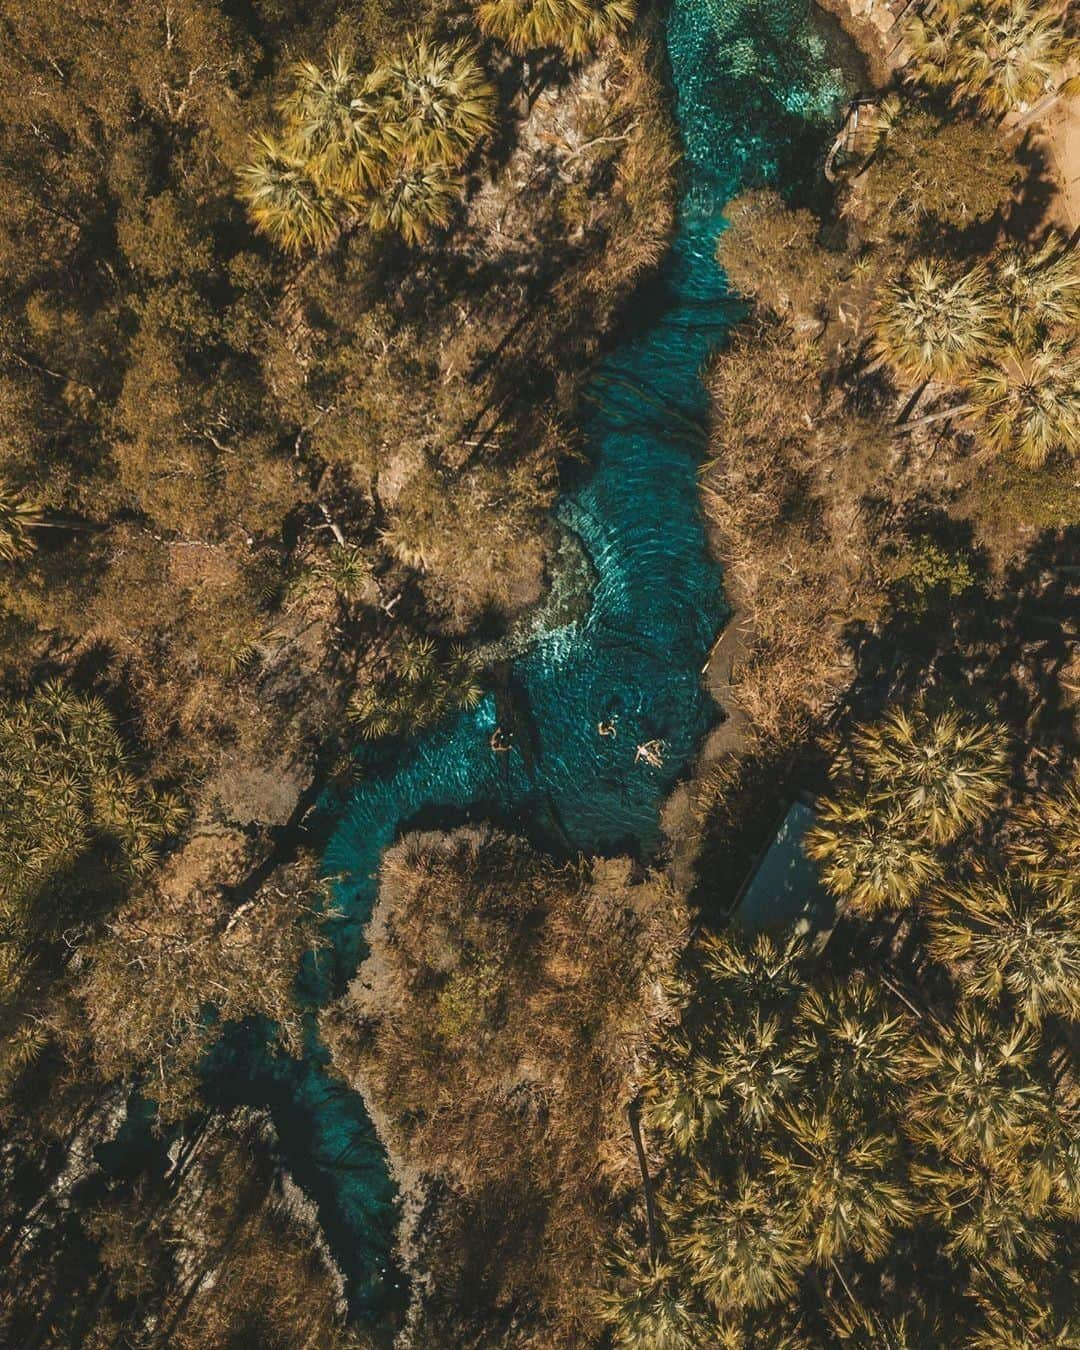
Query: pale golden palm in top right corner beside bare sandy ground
{"type": "Point", "coordinates": [1000, 53]}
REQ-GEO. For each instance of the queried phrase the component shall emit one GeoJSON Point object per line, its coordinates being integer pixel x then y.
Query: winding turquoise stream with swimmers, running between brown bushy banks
{"type": "Point", "coordinates": [758, 87]}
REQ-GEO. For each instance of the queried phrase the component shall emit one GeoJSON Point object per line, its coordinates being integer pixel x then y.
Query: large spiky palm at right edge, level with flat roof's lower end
{"type": "Point", "coordinates": [1012, 935]}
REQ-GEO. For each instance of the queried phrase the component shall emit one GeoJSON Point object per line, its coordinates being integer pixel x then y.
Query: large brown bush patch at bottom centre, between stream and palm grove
{"type": "Point", "coordinates": [497, 1027]}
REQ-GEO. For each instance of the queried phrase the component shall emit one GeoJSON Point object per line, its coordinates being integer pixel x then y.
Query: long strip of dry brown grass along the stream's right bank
{"type": "Point", "coordinates": [788, 492]}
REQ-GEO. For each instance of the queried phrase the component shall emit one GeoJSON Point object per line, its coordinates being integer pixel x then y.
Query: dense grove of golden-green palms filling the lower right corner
{"type": "Point", "coordinates": [877, 1144]}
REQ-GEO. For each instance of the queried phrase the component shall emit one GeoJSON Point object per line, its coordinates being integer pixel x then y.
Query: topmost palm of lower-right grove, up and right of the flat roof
{"type": "Point", "coordinates": [942, 774]}
